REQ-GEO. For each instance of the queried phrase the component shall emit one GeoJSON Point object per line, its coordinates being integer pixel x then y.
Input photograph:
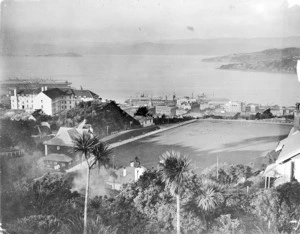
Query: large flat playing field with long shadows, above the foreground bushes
{"type": "Point", "coordinates": [205, 141]}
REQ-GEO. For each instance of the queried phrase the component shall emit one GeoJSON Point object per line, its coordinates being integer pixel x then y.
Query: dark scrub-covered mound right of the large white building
{"type": "Point", "coordinates": [104, 117]}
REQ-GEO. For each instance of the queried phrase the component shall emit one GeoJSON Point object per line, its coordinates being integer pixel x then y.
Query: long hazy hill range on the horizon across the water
{"type": "Point", "coordinates": [208, 47]}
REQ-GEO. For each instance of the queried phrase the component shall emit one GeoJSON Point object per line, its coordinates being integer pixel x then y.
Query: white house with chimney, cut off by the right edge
{"type": "Point", "coordinates": [287, 166]}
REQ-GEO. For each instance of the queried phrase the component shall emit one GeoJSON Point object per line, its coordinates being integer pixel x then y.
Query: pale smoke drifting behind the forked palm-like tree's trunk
{"type": "Point", "coordinates": [97, 182]}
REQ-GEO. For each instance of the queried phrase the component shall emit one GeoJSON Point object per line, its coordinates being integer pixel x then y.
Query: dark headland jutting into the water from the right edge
{"type": "Point", "coordinates": [271, 60]}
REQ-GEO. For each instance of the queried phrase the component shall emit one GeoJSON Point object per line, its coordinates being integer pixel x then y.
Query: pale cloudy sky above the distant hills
{"type": "Point", "coordinates": [155, 20]}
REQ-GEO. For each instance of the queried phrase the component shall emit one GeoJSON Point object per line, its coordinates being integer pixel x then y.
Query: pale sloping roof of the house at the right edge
{"type": "Point", "coordinates": [290, 147]}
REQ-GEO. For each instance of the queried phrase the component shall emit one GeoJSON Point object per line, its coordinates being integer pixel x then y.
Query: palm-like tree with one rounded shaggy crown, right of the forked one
{"type": "Point", "coordinates": [173, 170]}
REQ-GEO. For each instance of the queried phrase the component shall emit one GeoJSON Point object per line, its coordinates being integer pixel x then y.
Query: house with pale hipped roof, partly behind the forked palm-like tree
{"type": "Point", "coordinates": [62, 142]}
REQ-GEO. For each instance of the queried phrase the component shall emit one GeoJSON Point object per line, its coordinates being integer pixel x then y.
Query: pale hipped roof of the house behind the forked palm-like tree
{"type": "Point", "coordinates": [65, 136]}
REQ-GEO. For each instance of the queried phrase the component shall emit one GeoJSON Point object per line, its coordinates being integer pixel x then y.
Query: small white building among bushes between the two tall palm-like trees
{"type": "Point", "coordinates": [125, 175]}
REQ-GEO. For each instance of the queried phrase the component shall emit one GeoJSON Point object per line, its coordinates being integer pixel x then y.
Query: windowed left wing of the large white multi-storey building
{"type": "Point", "coordinates": [24, 99]}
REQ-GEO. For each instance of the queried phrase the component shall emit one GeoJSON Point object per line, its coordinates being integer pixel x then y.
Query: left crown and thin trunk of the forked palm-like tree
{"type": "Point", "coordinates": [86, 144]}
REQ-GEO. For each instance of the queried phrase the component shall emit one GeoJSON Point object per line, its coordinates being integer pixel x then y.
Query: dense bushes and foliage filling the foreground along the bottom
{"type": "Point", "coordinates": [208, 205]}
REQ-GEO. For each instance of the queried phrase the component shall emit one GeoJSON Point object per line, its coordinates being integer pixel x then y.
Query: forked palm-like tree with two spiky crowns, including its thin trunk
{"type": "Point", "coordinates": [95, 152]}
